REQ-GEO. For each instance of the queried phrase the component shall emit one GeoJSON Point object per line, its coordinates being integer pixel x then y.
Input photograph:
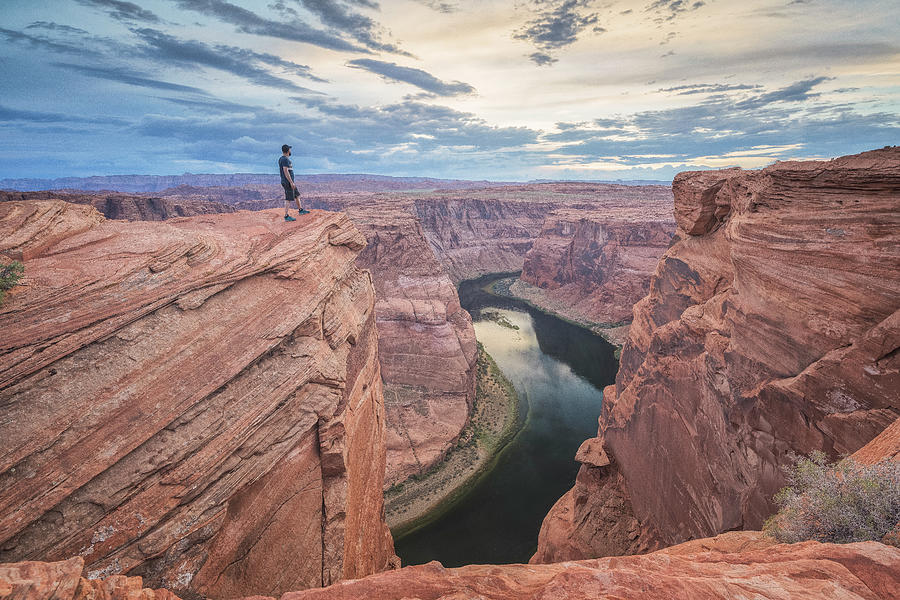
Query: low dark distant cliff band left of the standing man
{"type": "Point", "coordinates": [128, 207]}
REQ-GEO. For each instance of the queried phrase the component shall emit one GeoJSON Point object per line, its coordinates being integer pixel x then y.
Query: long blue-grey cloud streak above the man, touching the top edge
{"type": "Point", "coordinates": [249, 22]}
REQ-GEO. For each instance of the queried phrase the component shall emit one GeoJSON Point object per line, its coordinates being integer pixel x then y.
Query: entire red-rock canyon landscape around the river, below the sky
{"type": "Point", "coordinates": [199, 402]}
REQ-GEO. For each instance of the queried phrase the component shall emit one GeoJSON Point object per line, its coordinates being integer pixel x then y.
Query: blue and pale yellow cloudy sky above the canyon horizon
{"type": "Point", "coordinates": [474, 89]}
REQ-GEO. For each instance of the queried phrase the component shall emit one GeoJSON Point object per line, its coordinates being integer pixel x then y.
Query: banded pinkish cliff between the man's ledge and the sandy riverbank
{"type": "Point", "coordinates": [426, 342]}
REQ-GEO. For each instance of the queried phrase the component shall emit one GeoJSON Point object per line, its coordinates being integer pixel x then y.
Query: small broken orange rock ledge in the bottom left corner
{"type": "Point", "coordinates": [63, 581]}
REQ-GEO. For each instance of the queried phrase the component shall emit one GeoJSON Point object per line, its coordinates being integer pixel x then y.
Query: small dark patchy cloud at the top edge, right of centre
{"type": "Point", "coordinates": [559, 24]}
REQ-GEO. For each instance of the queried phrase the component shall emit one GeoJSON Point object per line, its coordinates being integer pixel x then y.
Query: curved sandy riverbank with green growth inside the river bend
{"type": "Point", "coordinates": [495, 421]}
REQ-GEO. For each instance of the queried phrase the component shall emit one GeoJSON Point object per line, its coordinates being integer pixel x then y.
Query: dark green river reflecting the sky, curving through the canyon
{"type": "Point", "coordinates": [560, 370]}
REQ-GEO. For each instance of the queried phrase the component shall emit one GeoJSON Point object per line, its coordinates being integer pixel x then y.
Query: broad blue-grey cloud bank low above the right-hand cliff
{"type": "Point", "coordinates": [727, 126]}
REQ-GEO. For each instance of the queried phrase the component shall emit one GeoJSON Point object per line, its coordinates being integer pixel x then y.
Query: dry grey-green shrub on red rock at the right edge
{"type": "Point", "coordinates": [839, 503]}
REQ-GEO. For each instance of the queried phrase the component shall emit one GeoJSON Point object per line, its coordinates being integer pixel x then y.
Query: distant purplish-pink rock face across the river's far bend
{"type": "Point", "coordinates": [594, 264]}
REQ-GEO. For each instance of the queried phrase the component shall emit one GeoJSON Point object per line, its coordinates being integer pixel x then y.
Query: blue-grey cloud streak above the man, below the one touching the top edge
{"type": "Point", "coordinates": [237, 61]}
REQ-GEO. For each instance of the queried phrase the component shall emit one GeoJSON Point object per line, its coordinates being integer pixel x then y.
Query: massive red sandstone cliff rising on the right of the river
{"type": "Point", "coordinates": [771, 327]}
